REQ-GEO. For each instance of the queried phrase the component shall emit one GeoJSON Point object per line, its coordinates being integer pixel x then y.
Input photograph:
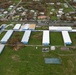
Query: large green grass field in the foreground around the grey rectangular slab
{"type": "Point", "coordinates": [29, 61]}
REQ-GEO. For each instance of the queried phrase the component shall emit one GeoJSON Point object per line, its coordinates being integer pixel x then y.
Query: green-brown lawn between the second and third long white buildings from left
{"type": "Point", "coordinates": [36, 38]}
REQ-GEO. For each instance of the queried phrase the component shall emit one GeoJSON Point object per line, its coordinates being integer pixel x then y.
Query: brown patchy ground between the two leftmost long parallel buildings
{"type": "Point", "coordinates": [15, 40]}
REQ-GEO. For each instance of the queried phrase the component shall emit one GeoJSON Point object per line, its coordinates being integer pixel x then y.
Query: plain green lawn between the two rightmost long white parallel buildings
{"type": "Point", "coordinates": [56, 38]}
